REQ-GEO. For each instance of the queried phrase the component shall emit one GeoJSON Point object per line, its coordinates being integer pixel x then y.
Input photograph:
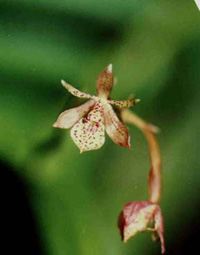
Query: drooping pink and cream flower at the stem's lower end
{"type": "Point", "coordinates": [137, 217]}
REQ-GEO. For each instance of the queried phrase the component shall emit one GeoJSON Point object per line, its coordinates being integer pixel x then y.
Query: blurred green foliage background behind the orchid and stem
{"type": "Point", "coordinates": [155, 50]}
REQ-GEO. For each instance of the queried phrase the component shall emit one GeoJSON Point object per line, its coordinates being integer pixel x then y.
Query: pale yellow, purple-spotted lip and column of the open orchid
{"type": "Point", "coordinates": [89, 133]}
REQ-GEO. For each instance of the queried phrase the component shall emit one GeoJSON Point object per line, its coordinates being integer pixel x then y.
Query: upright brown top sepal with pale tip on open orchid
{"type": "Point", "coordinates": [104, 82]}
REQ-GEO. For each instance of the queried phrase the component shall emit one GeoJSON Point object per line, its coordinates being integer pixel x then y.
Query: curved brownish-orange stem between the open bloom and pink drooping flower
{"type": "Point", "coordinates": [155, 180]}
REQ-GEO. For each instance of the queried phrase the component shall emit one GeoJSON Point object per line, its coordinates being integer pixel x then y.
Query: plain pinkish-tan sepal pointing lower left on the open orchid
{"type": "Point", "coordinates": [68, 118]}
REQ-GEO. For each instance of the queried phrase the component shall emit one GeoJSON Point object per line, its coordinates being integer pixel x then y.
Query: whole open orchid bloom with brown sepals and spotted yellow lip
{"type": "Point", "coordinates": [89, 121]}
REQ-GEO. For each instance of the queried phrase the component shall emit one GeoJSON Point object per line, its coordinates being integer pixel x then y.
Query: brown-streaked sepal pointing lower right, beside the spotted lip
{"type": "Point", "coordinates": [116, 130]}
